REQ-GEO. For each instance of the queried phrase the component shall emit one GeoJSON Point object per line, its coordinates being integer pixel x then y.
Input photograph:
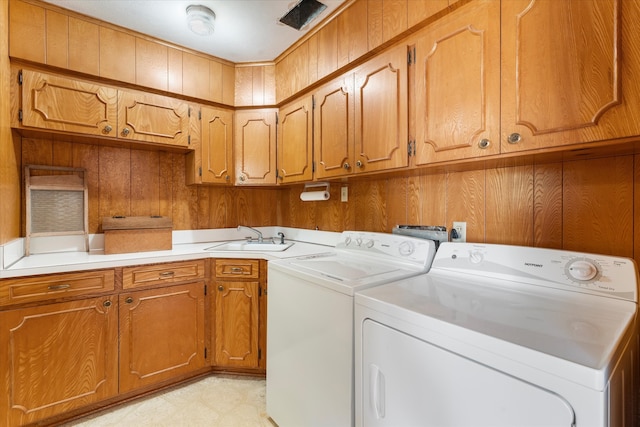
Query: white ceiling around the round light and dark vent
{"type": "Point", "coordinates": [245, 30]}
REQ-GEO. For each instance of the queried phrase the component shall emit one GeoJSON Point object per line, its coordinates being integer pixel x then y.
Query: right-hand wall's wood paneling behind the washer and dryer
{"type": "Point", "coordinates": [585, 205]}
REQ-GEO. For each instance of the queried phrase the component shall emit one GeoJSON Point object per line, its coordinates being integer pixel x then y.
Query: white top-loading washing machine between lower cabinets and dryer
{"type": "Point", "coordinates": [310, 323]}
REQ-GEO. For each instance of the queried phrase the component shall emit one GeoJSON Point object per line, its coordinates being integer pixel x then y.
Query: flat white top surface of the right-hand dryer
{"type": "Point", "coordinates": [576, 336]}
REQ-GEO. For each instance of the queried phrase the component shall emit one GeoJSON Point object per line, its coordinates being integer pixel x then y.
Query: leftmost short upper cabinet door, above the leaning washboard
{"type": "Point", "coordinates": [63, 104]}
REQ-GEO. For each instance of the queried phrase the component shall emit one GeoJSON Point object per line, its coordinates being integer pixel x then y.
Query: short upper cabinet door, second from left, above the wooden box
{"type": "Point", "coordinates": [153, 118]}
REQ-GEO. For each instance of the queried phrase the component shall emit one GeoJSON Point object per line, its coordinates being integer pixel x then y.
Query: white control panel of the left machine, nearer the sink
{"type": "Point", "coordinates": [391, 247]}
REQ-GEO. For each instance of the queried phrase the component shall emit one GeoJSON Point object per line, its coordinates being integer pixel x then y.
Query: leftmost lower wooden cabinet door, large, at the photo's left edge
{"type": "Point", "coordinates": [56, 358]}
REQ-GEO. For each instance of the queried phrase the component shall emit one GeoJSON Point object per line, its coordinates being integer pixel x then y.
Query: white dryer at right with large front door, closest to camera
{"type": "Point", "coordinates": [499, 335]}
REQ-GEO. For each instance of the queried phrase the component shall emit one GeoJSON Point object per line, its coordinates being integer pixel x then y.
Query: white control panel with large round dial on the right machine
{"type": "Point", "coordinates": [616, 277]}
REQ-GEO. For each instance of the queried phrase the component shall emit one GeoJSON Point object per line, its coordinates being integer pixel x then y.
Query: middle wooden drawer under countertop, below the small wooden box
{"type": "Point", "coordinates": [135, 277]}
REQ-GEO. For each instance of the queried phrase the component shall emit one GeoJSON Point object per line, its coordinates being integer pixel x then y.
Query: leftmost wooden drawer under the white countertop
{"type": "Point", "coordinates": [39, 288]}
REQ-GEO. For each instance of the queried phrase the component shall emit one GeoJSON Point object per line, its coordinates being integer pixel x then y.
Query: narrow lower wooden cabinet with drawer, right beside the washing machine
{"type": "Point", "coordinates": [239, 328]}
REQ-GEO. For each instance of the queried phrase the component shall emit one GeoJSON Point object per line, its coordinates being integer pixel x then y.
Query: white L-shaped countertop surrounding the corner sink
{"type": "Point", "coordinates": [187, 245]}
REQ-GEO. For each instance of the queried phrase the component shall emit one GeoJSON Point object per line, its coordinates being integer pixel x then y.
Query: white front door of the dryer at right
{"type": "Point", "coordinates": [409, 382]}
